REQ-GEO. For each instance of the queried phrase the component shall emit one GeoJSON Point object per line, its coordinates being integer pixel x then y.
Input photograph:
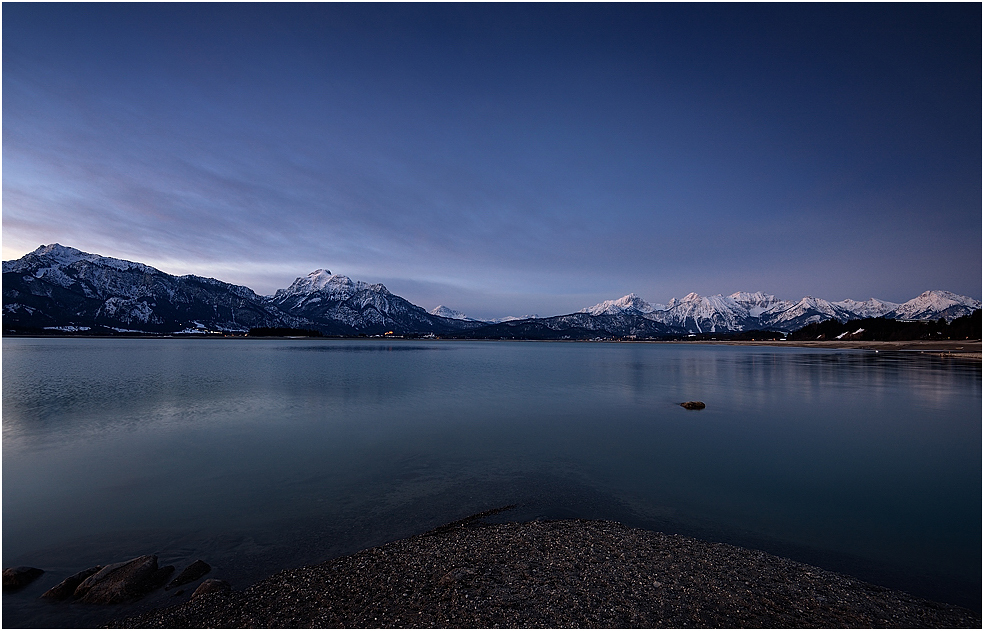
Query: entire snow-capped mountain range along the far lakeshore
{"type": "Point", "coordinates": [62, 288]}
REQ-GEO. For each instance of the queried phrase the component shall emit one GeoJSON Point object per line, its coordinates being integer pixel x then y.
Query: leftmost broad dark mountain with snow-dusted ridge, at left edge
{"type": "Point", "coordinates": [57, 286]}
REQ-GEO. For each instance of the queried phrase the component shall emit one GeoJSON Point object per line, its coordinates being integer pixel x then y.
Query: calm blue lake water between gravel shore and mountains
{"type": "Point", "coordinates": [256, 455]}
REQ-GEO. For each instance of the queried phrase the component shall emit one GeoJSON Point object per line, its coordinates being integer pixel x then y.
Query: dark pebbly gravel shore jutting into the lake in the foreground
{"type": "Point", "coordinates": [569, 573]}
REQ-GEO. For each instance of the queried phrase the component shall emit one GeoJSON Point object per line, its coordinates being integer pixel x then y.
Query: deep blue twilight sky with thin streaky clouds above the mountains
{"type": "Point", "coordinates": [504, 159]}
